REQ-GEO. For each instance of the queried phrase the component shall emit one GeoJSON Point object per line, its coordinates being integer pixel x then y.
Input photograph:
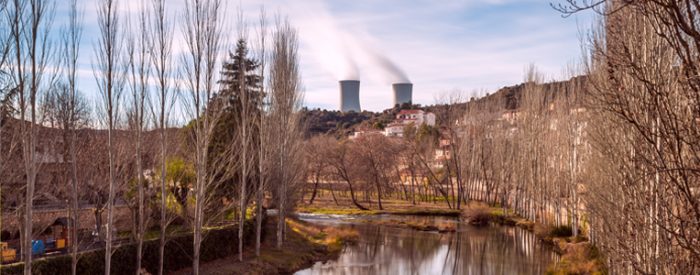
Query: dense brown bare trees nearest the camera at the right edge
{"type": "Point", "coordinates": [643, 188]}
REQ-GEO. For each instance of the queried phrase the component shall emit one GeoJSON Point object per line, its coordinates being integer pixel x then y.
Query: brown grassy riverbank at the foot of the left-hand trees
{"type": "Point", "coordinates": [305, 245]}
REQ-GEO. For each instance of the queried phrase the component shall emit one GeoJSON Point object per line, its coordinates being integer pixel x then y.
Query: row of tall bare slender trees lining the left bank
{"type": "Point", "coordinates": [140, 87]}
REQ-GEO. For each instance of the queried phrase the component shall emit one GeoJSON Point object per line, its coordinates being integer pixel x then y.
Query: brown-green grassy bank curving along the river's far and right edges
{"type": "Point", "coordinates": [578, 255]}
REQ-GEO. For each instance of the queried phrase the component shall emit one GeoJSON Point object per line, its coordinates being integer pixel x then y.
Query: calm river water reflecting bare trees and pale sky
{"type": "Point", "coordinates": [470, 250]}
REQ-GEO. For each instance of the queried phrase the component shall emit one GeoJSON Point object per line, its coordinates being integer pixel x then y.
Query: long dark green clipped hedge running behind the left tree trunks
{"type": "Point", "coordinates": [217, 243]}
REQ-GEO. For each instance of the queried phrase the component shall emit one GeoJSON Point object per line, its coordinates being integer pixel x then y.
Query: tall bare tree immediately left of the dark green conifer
{"type": "Point", "coordinates": [202, 32]}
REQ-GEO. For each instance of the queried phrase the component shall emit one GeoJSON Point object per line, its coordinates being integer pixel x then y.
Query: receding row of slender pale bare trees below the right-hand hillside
{"type": "Point", "coordinates": [527, 157]}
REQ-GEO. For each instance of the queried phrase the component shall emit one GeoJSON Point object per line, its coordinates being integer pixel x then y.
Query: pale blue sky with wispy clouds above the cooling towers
{"type": "Point", "coordinates": [472, 47]}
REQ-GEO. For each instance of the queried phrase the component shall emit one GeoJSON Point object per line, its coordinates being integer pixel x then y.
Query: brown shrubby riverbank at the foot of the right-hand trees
{"type": "Point", "coordinates": [578, 255]}
